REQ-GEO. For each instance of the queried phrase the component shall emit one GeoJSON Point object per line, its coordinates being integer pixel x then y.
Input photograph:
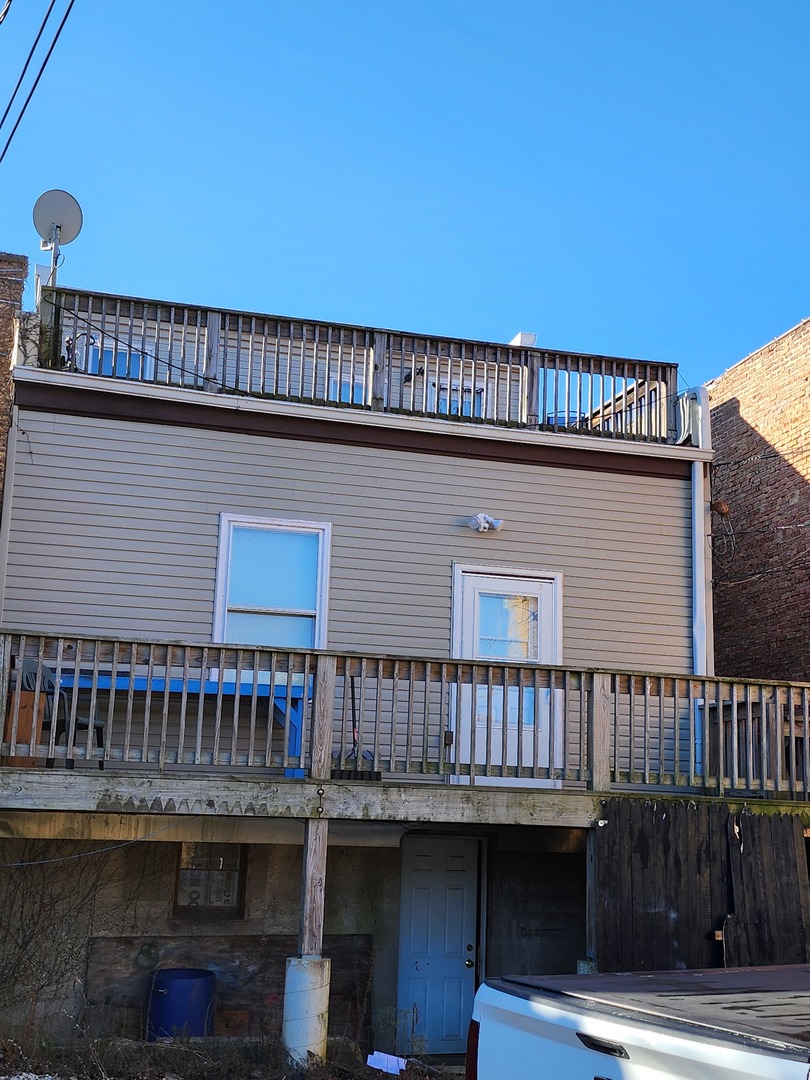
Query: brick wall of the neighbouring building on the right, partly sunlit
{"type": "Point", "coordinates": [761, 428]}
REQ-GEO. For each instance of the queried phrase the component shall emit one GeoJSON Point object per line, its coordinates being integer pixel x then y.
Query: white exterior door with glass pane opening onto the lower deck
{"type": "Point", "coordinates": [508, 617]}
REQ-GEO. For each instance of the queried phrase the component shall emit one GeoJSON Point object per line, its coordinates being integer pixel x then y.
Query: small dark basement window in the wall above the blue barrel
{"type": "Point", "coordinates": [211, 882]}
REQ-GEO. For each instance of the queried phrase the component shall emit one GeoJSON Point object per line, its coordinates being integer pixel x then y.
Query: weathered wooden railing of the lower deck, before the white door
{"type": "Point", "coordinates": [204, 709]}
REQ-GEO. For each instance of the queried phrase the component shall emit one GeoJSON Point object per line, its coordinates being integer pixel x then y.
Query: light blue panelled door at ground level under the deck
{"type": "Point", "coordinates": [438, 944]}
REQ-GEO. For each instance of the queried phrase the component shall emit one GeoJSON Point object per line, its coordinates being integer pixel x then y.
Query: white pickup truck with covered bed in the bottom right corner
{"type": "Point", "coordinates": [727, 1024]}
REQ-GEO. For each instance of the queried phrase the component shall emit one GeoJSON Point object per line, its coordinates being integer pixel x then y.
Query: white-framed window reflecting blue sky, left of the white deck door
{"type": "Point", "coordinates": [273, 583]}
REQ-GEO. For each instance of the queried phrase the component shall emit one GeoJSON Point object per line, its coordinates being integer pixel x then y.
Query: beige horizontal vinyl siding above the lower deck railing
{"type": "Point", "coordinates": [114, 531]}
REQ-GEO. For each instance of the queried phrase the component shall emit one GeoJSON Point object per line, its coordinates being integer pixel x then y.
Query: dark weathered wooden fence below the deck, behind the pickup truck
{"type": "Point", "coordinates": [693, 885]}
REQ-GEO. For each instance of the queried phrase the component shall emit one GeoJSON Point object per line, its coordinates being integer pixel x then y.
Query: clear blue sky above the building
{"type": "Point", "coordinates": [619, 178]}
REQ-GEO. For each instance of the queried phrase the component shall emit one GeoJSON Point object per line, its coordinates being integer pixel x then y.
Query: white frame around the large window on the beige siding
{"type": "Point", "coordinates": [227, 523]}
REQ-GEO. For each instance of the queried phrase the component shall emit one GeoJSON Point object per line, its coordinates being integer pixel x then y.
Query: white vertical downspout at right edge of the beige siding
{"type": "Point", "coordinates": [703, 625]}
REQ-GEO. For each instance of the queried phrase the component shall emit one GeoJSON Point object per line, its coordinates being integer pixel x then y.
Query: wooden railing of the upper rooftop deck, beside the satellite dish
{"type": "Point", "coordinates": [357, 368]}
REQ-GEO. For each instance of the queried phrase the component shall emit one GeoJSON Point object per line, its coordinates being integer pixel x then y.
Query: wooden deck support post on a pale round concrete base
{"type": "Point", "coordinates": [307, 977]}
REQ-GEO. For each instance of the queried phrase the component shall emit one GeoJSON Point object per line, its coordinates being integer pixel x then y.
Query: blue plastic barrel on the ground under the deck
{"type": "Point", "coordinates": [181, 1003]}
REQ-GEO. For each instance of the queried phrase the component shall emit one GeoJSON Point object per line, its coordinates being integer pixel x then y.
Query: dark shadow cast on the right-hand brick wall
{"type": "Point", "coordinates": [761, 547]}
